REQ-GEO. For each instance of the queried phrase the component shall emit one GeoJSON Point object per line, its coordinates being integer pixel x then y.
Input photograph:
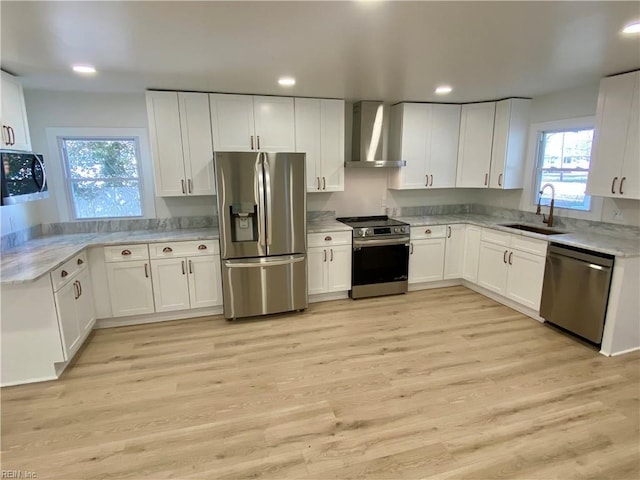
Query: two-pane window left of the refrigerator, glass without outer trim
{"type": "Point", "coordinates": [102, 176]}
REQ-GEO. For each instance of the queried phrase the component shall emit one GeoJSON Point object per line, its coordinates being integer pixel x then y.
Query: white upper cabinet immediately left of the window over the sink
{"type": "Point", "coordinates": [510, 132]}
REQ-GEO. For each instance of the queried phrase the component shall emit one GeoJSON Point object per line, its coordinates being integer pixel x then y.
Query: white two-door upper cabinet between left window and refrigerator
{"type": "Point", "coordinates": [180, 134]}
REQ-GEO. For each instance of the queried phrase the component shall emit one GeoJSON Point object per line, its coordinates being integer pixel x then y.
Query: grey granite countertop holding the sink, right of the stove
{"type": "Point", "coordinates": [618, 246]}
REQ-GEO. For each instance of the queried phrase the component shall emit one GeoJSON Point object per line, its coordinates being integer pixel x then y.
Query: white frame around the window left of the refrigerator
{"type": "Point", "coordinates": [57, 170]}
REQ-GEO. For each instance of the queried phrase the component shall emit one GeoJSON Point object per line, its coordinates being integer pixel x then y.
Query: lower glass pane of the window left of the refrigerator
{"type": "Point", "coordinates": [100, 199]}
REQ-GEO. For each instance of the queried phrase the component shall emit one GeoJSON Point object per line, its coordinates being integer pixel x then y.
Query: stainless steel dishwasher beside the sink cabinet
{"type": "Point", "coordinates": [575, 291]}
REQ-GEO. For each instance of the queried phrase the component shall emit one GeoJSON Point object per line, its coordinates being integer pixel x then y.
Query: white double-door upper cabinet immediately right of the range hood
{"type": "Point", "coordinates": [426, 137]}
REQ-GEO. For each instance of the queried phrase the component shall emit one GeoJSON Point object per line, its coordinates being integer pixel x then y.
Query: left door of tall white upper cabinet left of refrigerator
{"type": "Point", "coordinates": [166, 143]}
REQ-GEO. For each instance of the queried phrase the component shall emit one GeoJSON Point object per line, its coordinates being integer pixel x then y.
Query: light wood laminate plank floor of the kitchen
{"type": "Point", "coordinates": [442, 383]}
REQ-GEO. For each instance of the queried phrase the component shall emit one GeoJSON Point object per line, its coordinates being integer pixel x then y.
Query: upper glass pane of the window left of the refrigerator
{"type": "Point", "coordinates": [101, 158]}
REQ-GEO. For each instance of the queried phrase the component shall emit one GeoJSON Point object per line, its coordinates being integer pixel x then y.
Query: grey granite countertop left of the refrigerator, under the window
{"type": "Point", "coordinates": [39, 256]}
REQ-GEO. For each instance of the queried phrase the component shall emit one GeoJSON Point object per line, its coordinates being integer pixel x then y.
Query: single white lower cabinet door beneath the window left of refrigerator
{"type": "Point", "coordinates": [130, 288]}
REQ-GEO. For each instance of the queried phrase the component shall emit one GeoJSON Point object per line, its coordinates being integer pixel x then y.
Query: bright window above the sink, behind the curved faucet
{"type": "Point", "coordinates": [563, 161]}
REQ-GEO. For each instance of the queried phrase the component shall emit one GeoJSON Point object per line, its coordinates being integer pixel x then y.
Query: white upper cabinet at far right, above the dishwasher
{"type": "Point", "coordinates": [615, 164]}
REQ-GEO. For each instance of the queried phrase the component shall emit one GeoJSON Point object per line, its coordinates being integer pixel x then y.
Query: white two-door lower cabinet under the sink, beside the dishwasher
{"type": "Point", "coordinates": [512, 266]}
